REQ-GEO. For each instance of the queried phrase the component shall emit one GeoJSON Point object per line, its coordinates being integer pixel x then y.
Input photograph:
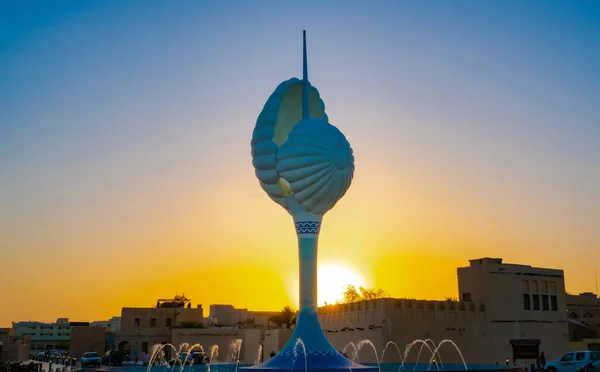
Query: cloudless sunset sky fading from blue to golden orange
{"type": "Point", "coordinates": [125, 169]}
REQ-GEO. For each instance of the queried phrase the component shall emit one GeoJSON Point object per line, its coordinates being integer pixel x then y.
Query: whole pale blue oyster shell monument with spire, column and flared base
{"type": "Point", "coordinates": [306, 165]}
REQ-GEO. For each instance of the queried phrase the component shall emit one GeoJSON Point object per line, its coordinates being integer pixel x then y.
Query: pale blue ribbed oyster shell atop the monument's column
{"type": "Point", "coordinates": [303, 163]}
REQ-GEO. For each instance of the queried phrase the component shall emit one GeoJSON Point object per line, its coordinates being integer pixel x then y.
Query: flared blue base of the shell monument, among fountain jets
{"type": "Point", "coordinates": [320, 354]}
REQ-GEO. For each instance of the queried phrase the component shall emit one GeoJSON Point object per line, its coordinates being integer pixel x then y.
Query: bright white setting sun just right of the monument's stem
{"type": "Point", "coordinates": [332, 278]}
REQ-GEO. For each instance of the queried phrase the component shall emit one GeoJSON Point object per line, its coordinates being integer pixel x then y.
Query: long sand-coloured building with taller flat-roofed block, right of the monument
{"type": "Point", "coordinates": [500, 302]}
